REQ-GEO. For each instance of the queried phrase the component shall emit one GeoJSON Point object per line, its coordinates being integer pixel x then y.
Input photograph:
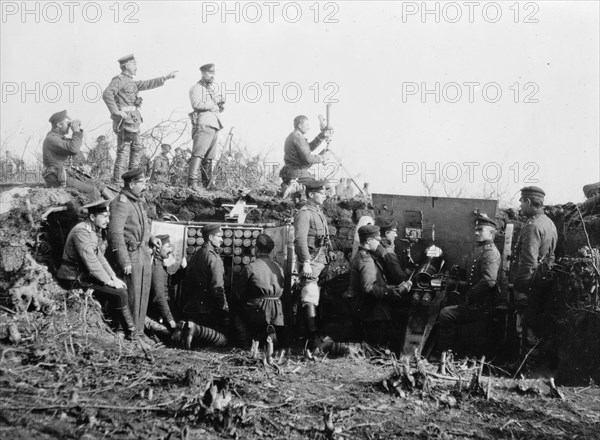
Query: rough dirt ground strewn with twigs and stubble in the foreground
{"type": "Point", "coordinates": [72, 378]}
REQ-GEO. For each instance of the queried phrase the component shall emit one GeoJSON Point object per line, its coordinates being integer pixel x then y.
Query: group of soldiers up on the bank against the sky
{"type": "Point", "coordinates": [124, 103]}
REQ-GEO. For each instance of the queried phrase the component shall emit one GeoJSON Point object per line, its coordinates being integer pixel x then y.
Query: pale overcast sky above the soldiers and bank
{"type": "Point", "coordinates": [461, 92]}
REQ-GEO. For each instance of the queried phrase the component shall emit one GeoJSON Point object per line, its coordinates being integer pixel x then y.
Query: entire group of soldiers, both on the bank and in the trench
{"type": "Point", "coordinates": [133, 273]}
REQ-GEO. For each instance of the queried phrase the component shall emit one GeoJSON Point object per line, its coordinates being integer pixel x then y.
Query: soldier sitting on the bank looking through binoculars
{"type": "Point", "coordinates": [56, 150]}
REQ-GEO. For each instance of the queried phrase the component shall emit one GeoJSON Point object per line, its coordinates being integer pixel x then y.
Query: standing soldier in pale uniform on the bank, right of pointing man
{"type": "Point", "coordinates": [207, 105]}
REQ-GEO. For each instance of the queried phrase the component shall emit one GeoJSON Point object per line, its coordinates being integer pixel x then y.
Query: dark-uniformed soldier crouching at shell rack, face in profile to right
{"type": "Point", "coordinates": [207, 308]}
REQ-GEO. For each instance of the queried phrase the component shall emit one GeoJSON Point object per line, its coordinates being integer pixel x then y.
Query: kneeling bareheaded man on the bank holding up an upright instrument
{"type": "Point", "coordinates": [297, 153]}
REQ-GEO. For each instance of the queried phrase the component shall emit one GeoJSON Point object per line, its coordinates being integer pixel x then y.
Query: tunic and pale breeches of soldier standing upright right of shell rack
{"type": "Point", "coordinates": [311, 238]}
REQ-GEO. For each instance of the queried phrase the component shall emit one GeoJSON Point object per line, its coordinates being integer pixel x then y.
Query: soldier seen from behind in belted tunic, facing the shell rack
{"type": "Point", "coordinates": [259, 292]}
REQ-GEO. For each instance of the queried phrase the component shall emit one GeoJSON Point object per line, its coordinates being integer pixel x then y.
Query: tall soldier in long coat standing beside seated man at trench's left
{"type": "Point", "coordinates": [130, 242]}
